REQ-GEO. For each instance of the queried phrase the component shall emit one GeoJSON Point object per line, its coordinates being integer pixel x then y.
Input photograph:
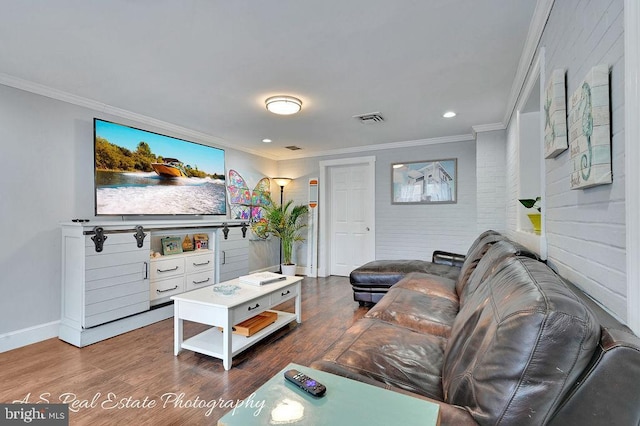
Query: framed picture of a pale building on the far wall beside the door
{"type": "Point", "coordinates": [424, 182]}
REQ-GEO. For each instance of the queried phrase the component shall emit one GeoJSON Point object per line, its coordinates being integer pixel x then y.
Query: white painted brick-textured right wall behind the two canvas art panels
{"type": "Point", "coordinates": [585, 228]}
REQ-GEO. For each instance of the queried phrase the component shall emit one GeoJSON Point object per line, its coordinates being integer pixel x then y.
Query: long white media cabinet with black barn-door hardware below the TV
{"type": "Point", "coordinates": [111, 284]}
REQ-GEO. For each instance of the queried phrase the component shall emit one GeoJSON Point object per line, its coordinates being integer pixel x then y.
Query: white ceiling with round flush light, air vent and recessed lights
{"type": "Point", "coordinates": [208, 65]}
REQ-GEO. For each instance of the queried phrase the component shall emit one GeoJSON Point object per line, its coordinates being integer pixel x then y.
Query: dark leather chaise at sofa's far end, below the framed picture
{"type": "Point", "coordinates": [372, 280]}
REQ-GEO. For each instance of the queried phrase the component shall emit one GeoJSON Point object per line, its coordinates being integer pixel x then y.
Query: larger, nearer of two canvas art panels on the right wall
{"type": "Point", "coordinates": [590, 131]}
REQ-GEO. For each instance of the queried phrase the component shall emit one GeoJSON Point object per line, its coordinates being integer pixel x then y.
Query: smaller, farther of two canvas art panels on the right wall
{"type": "Point", "coordinates": [555, 111]}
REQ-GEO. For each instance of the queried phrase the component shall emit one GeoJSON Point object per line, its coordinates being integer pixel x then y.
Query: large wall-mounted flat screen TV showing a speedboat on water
{"type": "Point", "coordinates": [138, 172]}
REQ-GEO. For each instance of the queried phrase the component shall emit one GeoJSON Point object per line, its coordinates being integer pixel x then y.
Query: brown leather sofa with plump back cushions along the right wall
{"type": "Point", "coordinates": [507, 341]}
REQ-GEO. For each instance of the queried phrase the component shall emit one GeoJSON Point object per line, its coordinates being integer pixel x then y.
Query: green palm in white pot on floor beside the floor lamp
{"type": "Point", "coordinates": [285, 222]}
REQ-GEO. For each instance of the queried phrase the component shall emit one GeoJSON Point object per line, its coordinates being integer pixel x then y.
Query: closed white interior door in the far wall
{"type": "Point", "coordinates": [351, 224]}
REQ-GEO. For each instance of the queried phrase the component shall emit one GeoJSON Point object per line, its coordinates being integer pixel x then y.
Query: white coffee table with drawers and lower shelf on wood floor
{"type": "Point", "coordinates": [210, 305]}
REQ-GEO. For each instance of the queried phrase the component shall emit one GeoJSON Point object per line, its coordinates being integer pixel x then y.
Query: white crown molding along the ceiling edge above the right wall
{"type": "Point", "coordinates": [536, 28]}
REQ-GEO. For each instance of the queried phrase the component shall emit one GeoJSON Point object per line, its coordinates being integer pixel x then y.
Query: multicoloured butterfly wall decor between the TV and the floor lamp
{"type": "Point", "coordinates": [245, 203]}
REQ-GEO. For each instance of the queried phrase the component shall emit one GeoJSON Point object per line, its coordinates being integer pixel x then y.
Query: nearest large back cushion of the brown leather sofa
{"type": "Point", "coordinates": [518, 343]}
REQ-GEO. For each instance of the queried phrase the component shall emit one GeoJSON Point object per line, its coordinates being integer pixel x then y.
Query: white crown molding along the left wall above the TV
{"type": "Point", "coordinates": [40, 89]}
